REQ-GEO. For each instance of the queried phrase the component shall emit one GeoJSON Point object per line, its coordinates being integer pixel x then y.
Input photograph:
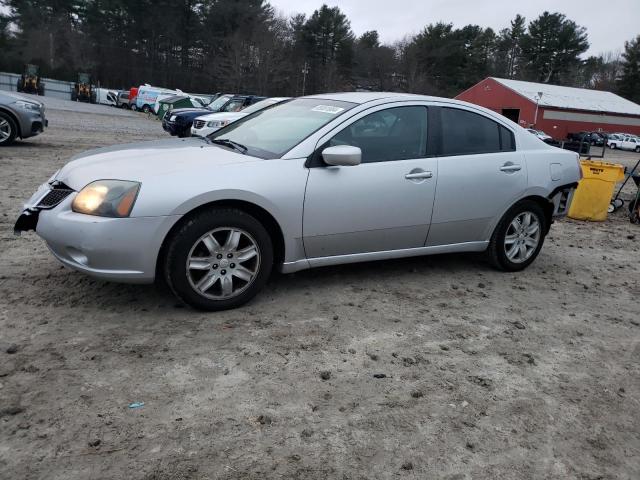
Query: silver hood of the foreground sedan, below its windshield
{"type": "Point", "coordinates": [144, 161]}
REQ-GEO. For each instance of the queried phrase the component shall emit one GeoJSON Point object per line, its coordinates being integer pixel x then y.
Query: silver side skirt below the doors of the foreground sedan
{"type": "Point", "coordinates": [296, 266]}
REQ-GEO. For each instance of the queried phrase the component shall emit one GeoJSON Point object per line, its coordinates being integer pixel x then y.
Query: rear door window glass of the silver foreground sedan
{"type": "Point", "coordinates": [466, 133]}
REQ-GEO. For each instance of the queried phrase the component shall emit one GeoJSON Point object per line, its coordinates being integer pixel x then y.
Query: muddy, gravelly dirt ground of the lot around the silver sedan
{"type": "Point", "coordinates": [428, 368]}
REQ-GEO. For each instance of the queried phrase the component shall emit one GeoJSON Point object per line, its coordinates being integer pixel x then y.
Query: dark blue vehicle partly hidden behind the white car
{"type": "Point", "coordinates": [179, 122]}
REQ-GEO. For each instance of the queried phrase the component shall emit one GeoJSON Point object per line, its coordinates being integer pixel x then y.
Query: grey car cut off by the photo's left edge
{"type": "Point", "coordinates": [21, 116]}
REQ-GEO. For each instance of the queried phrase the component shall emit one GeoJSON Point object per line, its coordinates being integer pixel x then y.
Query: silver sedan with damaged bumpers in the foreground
{"type": "Point", "coordinates": [320, 180]}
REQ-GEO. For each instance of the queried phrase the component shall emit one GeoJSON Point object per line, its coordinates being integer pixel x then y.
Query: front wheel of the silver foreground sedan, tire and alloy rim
{"type": "Point", "coordinates": [218, 259]}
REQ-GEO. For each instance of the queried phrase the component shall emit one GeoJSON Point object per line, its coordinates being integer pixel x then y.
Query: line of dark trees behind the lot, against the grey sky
{"type": "Point", "coordinates": [246, 46]}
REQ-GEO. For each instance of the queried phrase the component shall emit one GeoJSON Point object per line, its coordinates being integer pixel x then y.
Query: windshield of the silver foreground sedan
{"type": "Point", "coordinates": [270, 133]}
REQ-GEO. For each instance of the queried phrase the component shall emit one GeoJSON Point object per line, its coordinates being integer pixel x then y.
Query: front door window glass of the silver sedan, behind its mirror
{"type": "Point", "coordinates": [398, 133]}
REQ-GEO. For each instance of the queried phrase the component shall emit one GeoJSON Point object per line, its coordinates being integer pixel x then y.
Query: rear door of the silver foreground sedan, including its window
{"type": "Point", "coordinates": [480, 174]}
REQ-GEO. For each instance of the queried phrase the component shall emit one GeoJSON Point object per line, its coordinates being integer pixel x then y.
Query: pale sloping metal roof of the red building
{"type": "Point", "coordinates": [572, 98]}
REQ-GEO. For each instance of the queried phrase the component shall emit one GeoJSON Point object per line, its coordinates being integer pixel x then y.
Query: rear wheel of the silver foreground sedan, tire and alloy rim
{"type": "Point", "coordinates": [518, 237]}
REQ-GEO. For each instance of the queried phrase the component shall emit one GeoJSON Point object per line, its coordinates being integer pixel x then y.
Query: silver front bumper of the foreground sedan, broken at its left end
{"type": "Point", "coordinates": [116, 249]}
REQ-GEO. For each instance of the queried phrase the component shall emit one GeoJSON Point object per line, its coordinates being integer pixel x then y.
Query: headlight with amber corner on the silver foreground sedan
{"type": "Point", "coordinates": [107, 198]}
